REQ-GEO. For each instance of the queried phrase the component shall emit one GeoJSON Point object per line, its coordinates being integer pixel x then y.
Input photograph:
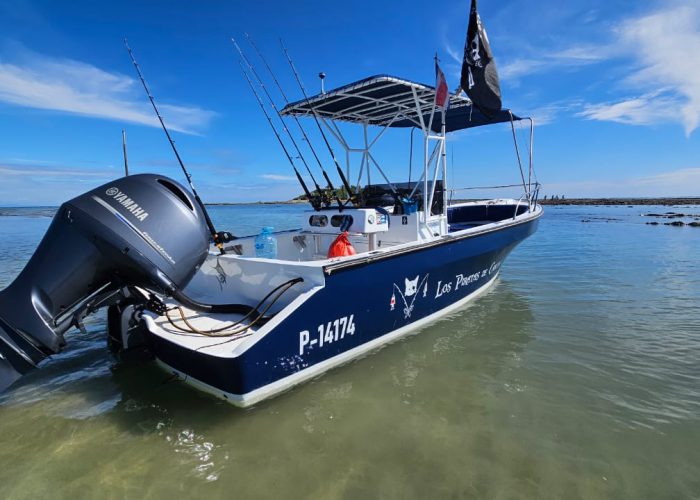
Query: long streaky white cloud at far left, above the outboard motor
{"type": "Point", "coordinates": [75, 87]}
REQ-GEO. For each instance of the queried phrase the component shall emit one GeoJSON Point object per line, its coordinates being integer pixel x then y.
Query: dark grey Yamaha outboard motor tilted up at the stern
{"type": "Point", "coordinates": [142, 230]}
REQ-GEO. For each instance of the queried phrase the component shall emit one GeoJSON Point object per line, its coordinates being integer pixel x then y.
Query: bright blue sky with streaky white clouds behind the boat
{"type": "Point", "coordinates": [613, 87]}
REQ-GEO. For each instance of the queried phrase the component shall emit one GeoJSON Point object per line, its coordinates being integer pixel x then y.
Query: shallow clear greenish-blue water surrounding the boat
{"type": "Point", "coordinates": [576, 376]}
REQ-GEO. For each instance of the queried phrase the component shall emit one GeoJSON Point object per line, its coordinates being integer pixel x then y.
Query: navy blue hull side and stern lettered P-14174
{"type": "Point", "coordinates": [359, 305]}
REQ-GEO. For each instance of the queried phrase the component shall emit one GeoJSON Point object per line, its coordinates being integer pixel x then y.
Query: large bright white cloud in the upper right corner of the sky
{"type": "Point", "coordinates": [665, 46]}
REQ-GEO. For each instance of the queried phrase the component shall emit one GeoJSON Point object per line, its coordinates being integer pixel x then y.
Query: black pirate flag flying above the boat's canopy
{"type": "Point", "coordinates": [479, 76]}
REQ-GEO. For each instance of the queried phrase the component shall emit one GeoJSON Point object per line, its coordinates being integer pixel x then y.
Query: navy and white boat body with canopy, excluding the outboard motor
{"type": "Point", "coordinates": [412, 264]}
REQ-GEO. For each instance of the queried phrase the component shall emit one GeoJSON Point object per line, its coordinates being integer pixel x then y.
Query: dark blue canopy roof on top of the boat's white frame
{"type": "Point", "coordinates": [393, 102]}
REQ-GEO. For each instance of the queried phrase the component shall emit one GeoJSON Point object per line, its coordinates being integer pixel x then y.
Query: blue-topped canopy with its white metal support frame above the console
{"type": "Point", "coordinates": [390, 102]}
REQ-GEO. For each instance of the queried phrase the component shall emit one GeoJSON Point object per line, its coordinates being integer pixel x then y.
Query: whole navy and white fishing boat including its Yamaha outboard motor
{"type": "Point", "coordinates": [243, 323]}
